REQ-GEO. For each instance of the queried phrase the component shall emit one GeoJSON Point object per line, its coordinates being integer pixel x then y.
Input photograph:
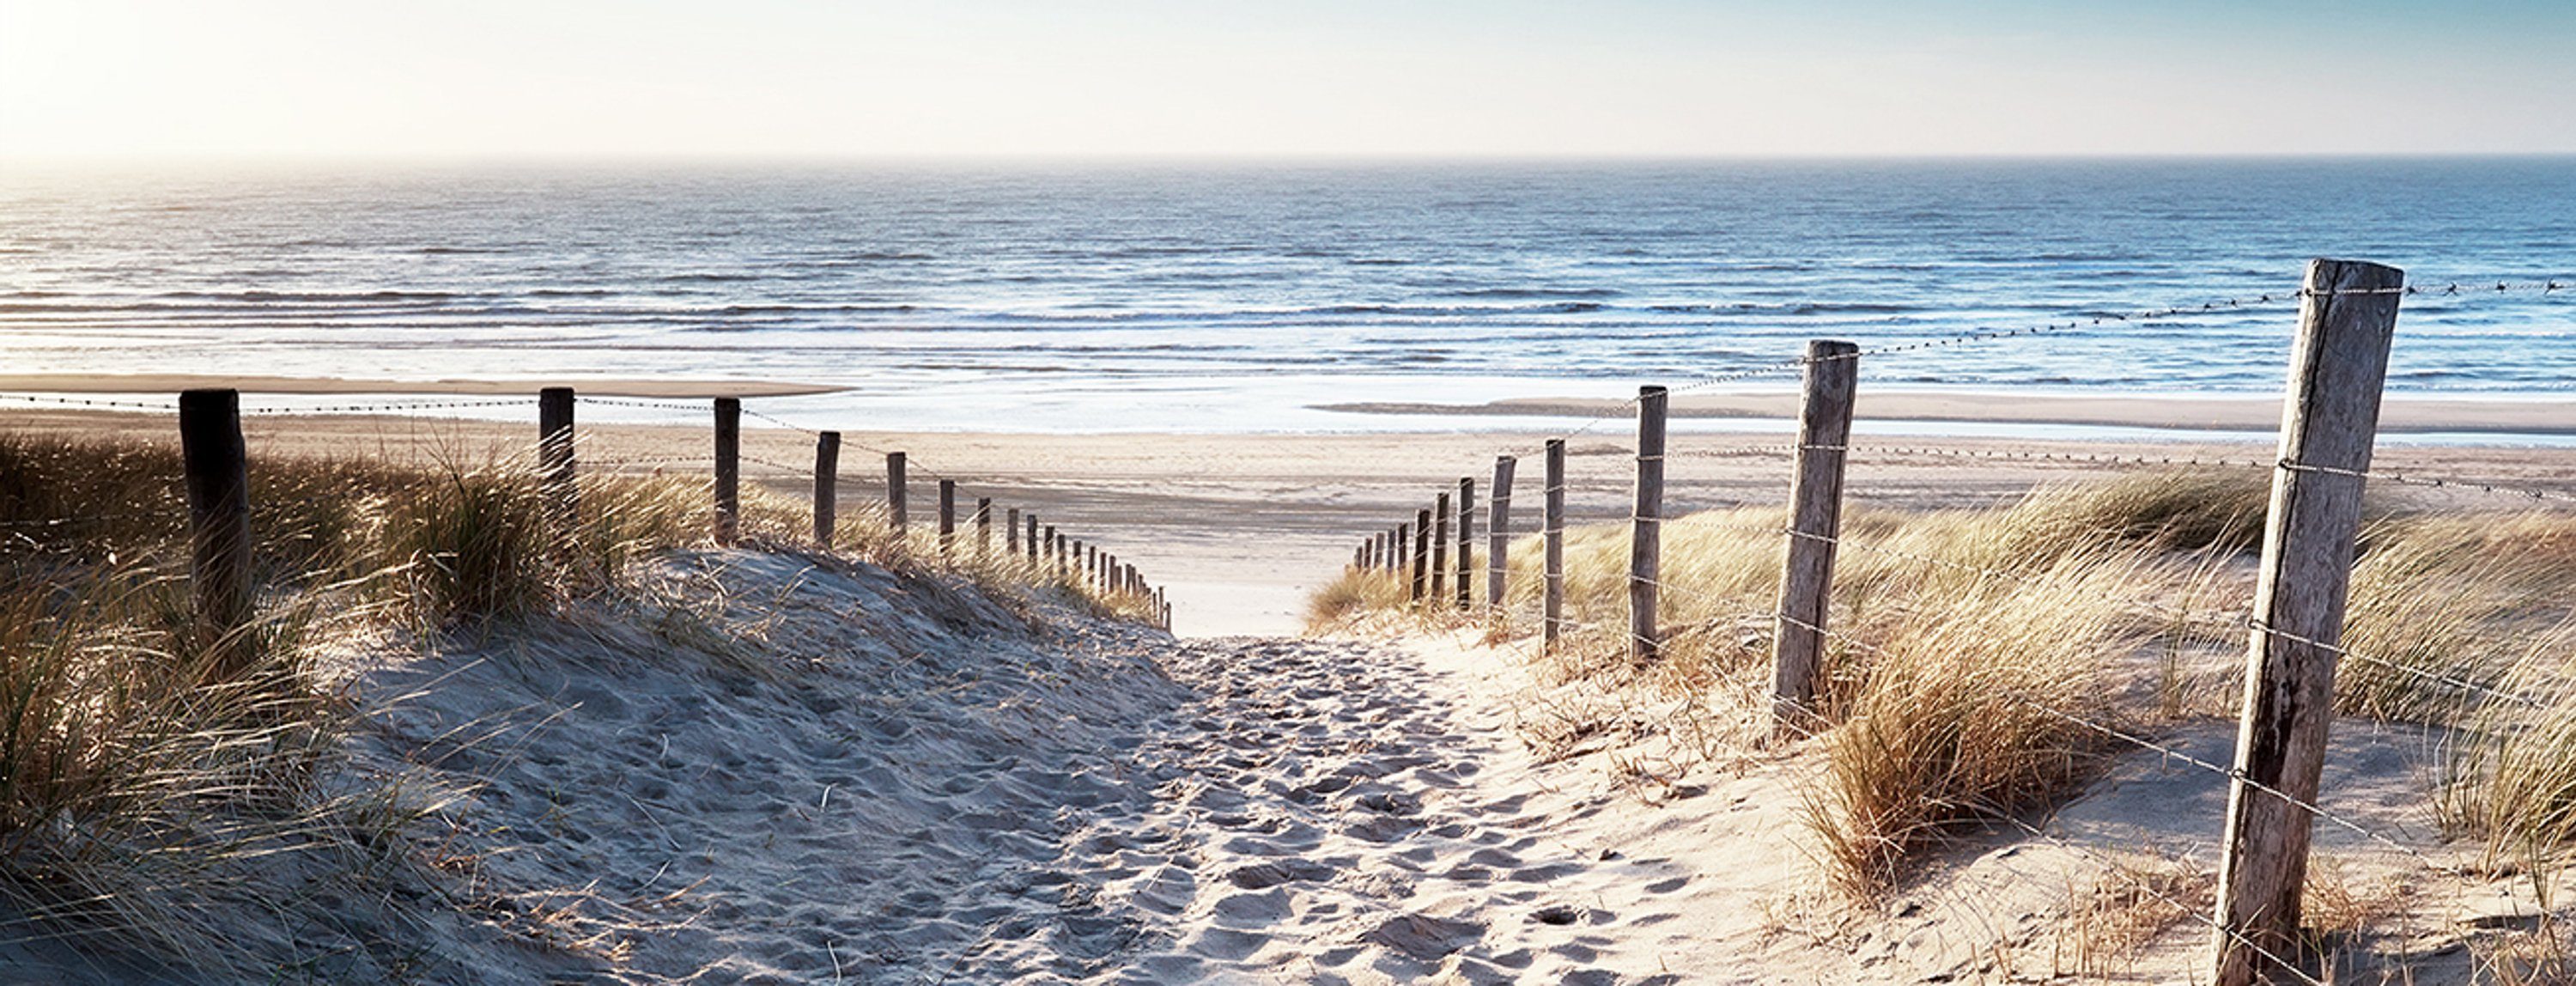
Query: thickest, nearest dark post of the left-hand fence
{"type": "Point", "coordinates": [218, 475]}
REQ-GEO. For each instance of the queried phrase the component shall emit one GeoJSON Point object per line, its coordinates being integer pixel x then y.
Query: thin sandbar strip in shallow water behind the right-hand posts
{"type": "Point", "coordinates": [2405, 416]}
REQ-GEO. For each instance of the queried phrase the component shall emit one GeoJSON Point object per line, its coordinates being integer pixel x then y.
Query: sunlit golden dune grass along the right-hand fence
{"type": "Point", "coordinates": [1985, 655]}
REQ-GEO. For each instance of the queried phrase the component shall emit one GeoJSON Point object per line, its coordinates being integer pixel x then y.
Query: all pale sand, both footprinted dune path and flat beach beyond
{"type": "Point", "coordinates": [813, 774]}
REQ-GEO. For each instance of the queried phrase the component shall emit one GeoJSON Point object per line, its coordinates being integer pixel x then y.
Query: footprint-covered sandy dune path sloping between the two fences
{"type": "Point", "coordinates": [790, 771]}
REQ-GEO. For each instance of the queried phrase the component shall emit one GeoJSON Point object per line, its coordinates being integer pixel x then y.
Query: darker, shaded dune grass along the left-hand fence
{"type": "Point", "coordinates": [140, 794]}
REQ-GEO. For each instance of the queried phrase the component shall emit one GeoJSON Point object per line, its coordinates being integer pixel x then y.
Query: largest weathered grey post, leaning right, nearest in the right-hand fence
{"type": "Point", "coordinates": [2330, 421]}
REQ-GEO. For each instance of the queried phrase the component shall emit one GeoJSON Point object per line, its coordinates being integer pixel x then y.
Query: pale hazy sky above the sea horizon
{"type": "Point", "coordinates": [813, 79]}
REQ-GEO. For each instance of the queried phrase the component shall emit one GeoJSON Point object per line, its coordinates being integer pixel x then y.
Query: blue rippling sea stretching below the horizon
{"type": "Point", "coordinates": [1248, 297]}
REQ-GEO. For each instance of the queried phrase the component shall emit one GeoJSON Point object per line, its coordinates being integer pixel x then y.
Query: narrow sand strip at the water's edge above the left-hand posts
{"type": "Point", "coordinates": [354, 385]}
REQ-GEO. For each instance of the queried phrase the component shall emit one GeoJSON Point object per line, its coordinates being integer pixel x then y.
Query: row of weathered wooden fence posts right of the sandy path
{"type": "Point", "coordinates": [2330, 423]}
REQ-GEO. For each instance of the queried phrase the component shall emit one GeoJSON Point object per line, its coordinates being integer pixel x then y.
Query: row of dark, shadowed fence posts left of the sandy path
{"type": "Point", "coordinates": [218, 480]}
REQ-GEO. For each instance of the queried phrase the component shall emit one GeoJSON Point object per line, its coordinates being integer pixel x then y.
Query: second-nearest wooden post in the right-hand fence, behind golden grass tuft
{"type": "Point", "coordinates": [1815, 524]}
